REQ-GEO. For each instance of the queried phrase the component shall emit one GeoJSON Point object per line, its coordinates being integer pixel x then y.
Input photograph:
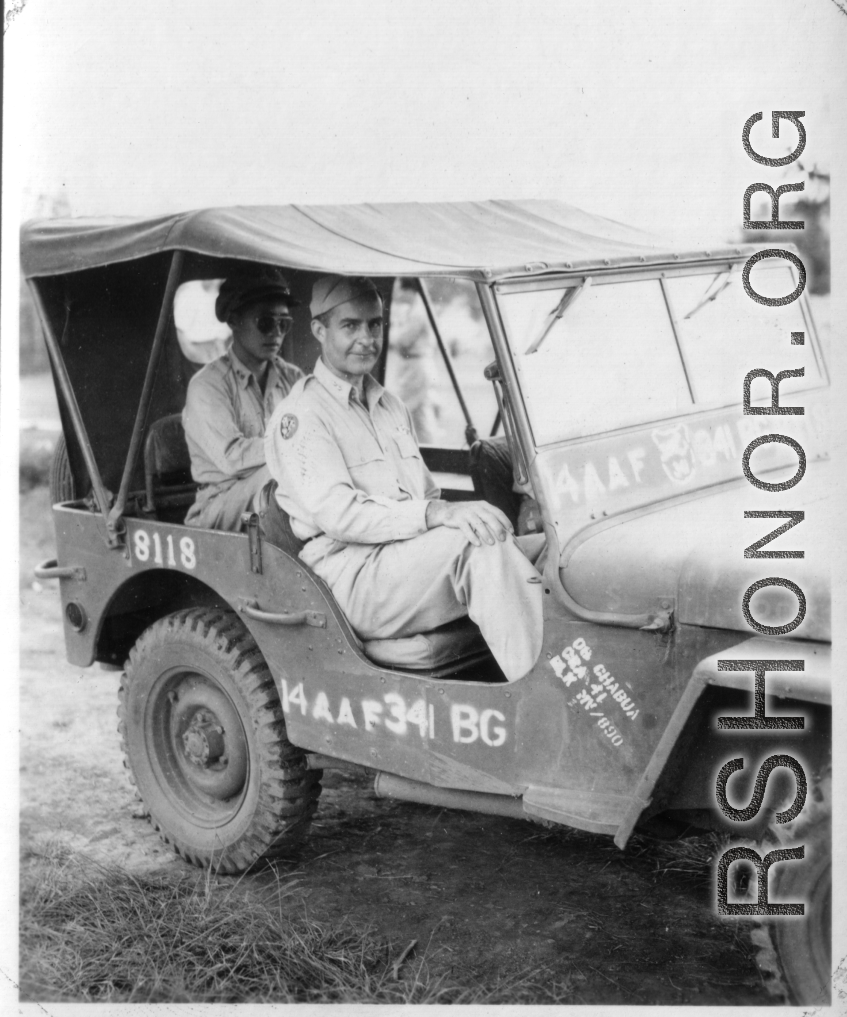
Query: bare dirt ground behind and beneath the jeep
{"type": "Point", "coordinates": [485, 898]}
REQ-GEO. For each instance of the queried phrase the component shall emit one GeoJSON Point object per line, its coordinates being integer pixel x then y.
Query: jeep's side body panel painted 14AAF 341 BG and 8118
{"type": "Point", "coordinates": [533, 739]}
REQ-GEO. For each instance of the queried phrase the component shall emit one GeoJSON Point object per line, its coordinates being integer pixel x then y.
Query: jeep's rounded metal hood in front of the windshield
{"type": "Point", "coordinates": [692, 553]}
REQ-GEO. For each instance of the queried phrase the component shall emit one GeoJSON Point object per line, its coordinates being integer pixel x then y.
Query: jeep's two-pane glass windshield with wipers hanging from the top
{"type": "Point", "coordinates": [597, 354]}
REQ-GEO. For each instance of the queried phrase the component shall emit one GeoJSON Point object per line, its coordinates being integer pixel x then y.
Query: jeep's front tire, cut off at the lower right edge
{"type": "Point", "coordinates": [804, 944]}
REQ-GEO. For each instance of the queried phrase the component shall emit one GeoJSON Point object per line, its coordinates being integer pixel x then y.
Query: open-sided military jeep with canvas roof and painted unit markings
{"type": "Point", "coordinates": [614, 365]}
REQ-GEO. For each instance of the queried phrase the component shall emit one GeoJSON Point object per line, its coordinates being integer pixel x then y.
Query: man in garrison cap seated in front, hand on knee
{"type": "Point", "coordinates": [399, 560]}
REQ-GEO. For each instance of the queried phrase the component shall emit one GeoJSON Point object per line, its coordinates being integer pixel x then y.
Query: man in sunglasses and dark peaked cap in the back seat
{"type": "Point", "coordinates": [231, 400]}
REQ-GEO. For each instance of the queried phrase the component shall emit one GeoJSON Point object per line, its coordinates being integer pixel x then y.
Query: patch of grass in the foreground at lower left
{"type": "Point", "coordinates": [93, 933]}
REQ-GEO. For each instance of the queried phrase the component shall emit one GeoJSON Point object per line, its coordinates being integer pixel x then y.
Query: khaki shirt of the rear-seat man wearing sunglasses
{"type": "Point", "coordinates": [225, 417]}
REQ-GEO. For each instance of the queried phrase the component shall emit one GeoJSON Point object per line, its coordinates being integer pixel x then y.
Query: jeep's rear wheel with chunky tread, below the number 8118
{"type": "Point", "coordinates": [205, 742]}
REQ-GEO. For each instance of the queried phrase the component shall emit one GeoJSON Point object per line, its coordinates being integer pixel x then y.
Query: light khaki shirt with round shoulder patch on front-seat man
{"type": "Point", "coordinates": [347, 472]}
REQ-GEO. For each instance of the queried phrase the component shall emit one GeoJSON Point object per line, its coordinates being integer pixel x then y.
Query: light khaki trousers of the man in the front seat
{"type": "Point", "coordinates": [411, 586]}
